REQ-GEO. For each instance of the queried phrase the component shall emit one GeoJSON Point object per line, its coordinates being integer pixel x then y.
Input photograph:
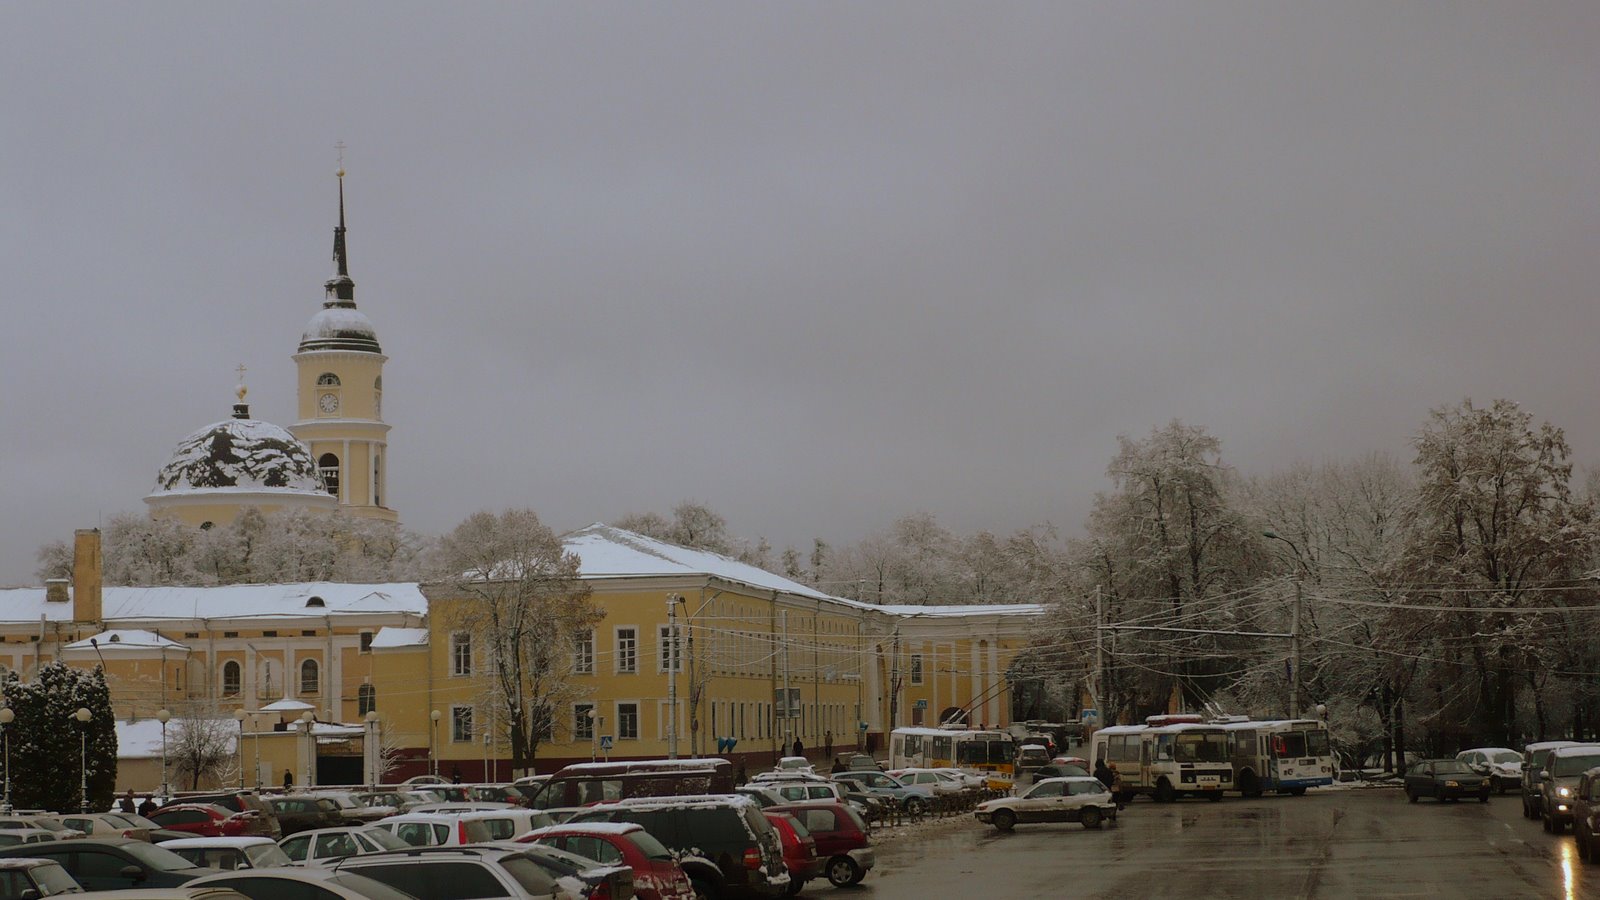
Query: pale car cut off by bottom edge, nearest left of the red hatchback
{"type": "Point", "coordinates": [463, 874]}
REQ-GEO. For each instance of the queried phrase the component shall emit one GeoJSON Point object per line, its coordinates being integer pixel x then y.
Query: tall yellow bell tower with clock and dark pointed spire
{"type": "Point", "coordinates": [342, 388]}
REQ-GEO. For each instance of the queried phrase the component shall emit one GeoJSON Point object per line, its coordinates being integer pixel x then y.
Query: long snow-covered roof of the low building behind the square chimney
{"type": "Point", "coordinates": [225, 601]}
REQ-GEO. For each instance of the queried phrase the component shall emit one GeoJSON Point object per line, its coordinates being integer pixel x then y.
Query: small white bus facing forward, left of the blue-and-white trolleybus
{"type": "Point", "coordinates": [1167, 758]}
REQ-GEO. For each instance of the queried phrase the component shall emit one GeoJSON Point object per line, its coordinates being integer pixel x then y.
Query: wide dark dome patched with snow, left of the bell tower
{"type": "Point", "coordinates": [241, 456]}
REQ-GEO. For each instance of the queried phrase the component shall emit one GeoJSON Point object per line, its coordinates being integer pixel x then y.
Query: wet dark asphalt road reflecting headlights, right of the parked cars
{"type": "Point", "coordinates": [1358, 843]}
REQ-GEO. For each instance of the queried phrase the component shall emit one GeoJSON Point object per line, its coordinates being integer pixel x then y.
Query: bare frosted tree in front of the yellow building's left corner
{"type": "Point", "coordinates": [524, 603]}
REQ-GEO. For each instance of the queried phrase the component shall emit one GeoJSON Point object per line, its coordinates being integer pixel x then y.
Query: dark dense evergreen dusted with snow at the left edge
{"type": "Point", "coordinates": [46, 739]}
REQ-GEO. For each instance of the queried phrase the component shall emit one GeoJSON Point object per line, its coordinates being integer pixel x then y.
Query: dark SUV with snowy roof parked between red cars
{"type": "Point", "coordinates": [729, 832]}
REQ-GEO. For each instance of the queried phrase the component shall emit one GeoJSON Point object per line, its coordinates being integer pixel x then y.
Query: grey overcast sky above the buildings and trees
{"type": "Point", "coordinates": [812, 265]}
